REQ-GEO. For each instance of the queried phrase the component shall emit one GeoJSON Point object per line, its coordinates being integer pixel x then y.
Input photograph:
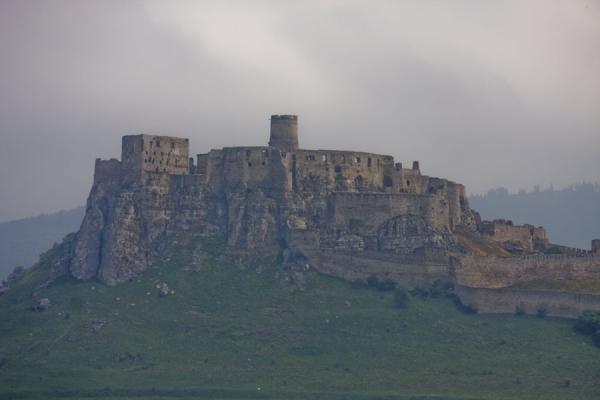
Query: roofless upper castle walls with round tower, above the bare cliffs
{"type": "Point", "coordinates": [284, 167]}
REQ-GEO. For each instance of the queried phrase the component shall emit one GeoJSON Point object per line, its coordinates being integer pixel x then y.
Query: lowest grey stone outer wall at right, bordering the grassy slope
{"type": "Point", "coordinates": [508, 301]}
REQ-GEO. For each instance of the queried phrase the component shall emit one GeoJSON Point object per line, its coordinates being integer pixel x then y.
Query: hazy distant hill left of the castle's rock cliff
{"type": "Point", "coordinates": [22, 241]}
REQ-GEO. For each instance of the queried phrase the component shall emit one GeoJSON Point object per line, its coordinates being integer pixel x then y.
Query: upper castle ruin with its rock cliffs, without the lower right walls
{"type": "Point", "coordinates": [263, 199]}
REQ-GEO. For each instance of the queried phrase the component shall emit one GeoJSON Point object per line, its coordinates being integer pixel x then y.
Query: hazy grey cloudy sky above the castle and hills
{"type": "Point", "coordinates": [486, 93]}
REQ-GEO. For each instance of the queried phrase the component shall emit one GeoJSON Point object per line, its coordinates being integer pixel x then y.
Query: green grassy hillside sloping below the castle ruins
{"type": "Point", "coordinates": [247, 332]}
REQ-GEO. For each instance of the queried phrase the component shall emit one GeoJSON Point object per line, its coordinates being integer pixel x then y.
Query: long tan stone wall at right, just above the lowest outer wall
{"type": "Point", "coordinates": [500, 272]}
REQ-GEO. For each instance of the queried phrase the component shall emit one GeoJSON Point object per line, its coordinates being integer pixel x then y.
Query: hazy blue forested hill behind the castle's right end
{"type": "Point", "coordinates": [571, 216]}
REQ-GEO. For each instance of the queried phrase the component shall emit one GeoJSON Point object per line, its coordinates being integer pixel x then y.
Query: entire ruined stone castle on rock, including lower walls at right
{"type": "Point", "coordinates": [350, 214]}
